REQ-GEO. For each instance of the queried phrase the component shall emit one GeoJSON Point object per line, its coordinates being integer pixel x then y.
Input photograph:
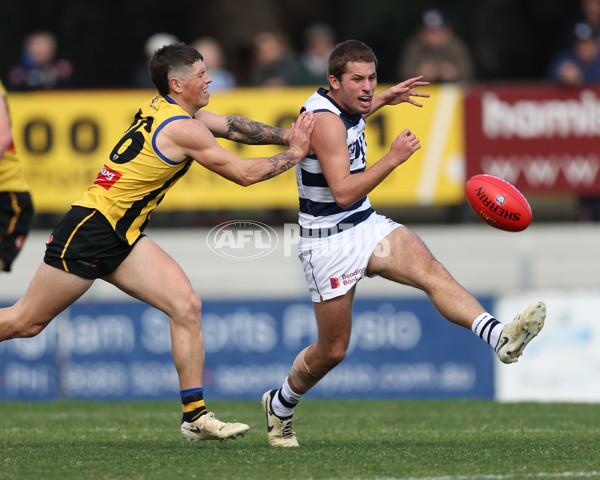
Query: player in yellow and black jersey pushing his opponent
{"type": "Point", "coordinates": [102, 235]}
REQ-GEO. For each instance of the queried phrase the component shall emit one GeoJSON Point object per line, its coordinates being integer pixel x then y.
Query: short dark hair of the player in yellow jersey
{"type": "Point", "coordinates": [168, 58]}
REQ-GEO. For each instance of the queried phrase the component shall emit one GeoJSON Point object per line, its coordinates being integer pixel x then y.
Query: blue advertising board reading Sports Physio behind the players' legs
{"type": "Point", "coordinates": [399, 348]}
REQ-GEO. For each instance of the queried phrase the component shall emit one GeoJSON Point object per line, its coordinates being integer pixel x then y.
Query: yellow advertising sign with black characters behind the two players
{"type": "Point", "coordinates": [63, 139]}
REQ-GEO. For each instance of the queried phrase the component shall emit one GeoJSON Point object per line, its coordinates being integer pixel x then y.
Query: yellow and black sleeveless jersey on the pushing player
{"type": "Point", "coordinates": [137, 175]}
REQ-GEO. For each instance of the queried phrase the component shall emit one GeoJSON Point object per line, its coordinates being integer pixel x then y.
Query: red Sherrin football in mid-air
{"type": "Point", "coordinates": [498, 203]}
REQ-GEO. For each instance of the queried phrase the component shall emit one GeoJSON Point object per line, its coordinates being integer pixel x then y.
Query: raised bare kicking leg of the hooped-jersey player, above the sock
{"type": "Point", "coordinates": [411, 263]}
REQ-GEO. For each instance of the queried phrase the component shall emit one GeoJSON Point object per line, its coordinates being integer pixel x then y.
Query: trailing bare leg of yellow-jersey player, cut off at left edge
{"type": "Point", "coordinates": [50, 292]}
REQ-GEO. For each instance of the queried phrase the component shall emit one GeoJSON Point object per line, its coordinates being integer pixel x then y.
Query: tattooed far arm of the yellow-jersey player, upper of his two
{"type": "Point", "coordinates": [243, 130]}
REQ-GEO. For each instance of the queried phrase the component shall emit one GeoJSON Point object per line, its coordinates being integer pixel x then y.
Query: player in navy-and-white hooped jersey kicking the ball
{"type": "Point", "coordinates": [342, 238]}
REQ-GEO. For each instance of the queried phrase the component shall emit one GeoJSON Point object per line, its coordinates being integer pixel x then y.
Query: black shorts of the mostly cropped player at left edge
{"type": "Point", "coordinates": [16, 214]}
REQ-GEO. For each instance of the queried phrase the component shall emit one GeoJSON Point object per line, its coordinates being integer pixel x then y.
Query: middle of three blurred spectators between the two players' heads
{"type": "Point", "coordinates": [274, 60]}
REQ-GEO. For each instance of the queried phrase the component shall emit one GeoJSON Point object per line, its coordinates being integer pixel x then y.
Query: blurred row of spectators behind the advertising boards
{"type": "Point", "coordinates": [433, 50]}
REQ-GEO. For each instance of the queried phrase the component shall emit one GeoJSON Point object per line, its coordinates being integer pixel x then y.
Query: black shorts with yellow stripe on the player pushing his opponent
{"type": "Point", "coordinates": [84, 243]}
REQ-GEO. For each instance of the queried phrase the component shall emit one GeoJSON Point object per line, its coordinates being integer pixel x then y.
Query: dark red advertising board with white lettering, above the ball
{"type": "Point", "coordinates": [539, 137]}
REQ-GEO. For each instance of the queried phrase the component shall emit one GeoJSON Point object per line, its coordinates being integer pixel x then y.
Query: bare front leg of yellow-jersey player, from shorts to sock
{"type": "Point", "coordinates": [151, 275]}
